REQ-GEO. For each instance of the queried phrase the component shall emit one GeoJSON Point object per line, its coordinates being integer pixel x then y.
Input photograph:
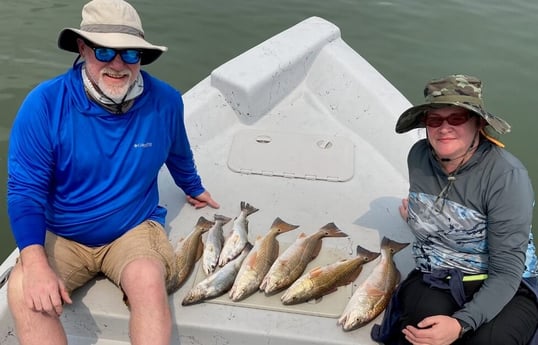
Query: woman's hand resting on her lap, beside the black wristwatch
{"type": "Point", "coordinates": [433, 330]}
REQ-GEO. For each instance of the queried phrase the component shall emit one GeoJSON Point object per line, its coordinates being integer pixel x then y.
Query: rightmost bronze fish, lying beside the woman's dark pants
{"type": "Point", "coordinates": [373, 295]}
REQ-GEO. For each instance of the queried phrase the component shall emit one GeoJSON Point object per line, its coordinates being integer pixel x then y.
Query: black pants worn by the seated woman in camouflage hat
{"type": "Point", "coordinates": [515, 324]}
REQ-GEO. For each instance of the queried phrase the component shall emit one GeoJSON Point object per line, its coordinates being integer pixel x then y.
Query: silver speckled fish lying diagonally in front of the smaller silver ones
{"type": "Point", "coordinates": [217, 283]}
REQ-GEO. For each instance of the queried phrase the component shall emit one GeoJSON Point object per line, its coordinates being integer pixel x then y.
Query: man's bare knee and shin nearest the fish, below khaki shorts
{"type": "Point", "coordinates": [143, 282]}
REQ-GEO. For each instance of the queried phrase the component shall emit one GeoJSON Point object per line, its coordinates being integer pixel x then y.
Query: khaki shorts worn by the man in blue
{"type": "Point", "coordinates": [76, 264]}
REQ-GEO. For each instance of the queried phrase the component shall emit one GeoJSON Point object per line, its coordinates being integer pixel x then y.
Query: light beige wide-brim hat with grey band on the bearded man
{"type": "Point", "coordinates": [111, 24]}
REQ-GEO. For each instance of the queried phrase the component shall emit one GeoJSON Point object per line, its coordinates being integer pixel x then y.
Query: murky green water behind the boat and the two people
{"type": "Point", "coordinates": [409, 42]}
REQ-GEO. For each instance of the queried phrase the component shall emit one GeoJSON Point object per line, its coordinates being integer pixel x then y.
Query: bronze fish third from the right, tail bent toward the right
{"type": "Point", "coordinates": [289, 266]}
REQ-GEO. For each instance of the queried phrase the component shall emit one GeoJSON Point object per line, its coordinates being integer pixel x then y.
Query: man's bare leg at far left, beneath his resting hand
{"type": "Point", "coordinates": [32, 327]}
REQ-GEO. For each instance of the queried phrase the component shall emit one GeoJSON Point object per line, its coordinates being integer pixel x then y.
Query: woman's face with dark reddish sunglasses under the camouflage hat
{"type": "Point", "coordinates": [451, 141]}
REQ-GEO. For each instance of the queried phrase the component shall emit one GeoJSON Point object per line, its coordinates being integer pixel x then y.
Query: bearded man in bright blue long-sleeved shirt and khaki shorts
{"type": "Point", "coordinates": [85, 151]}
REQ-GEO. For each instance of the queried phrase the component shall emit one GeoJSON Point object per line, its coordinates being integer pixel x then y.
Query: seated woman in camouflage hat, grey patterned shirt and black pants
{"type": "Point", "coordinates": [470, 209]}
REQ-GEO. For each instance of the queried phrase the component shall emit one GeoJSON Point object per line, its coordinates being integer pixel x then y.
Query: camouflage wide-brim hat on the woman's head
{"type": "Point", "coordinates": [460, 90]}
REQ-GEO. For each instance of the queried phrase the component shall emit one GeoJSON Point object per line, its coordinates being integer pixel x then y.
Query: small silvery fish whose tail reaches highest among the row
{"type": "Point", "coordinates": [236, 241]}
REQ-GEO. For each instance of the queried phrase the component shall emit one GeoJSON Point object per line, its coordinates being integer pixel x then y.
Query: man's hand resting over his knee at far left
{"type": "Point", "coordinates": [43, 290]}
